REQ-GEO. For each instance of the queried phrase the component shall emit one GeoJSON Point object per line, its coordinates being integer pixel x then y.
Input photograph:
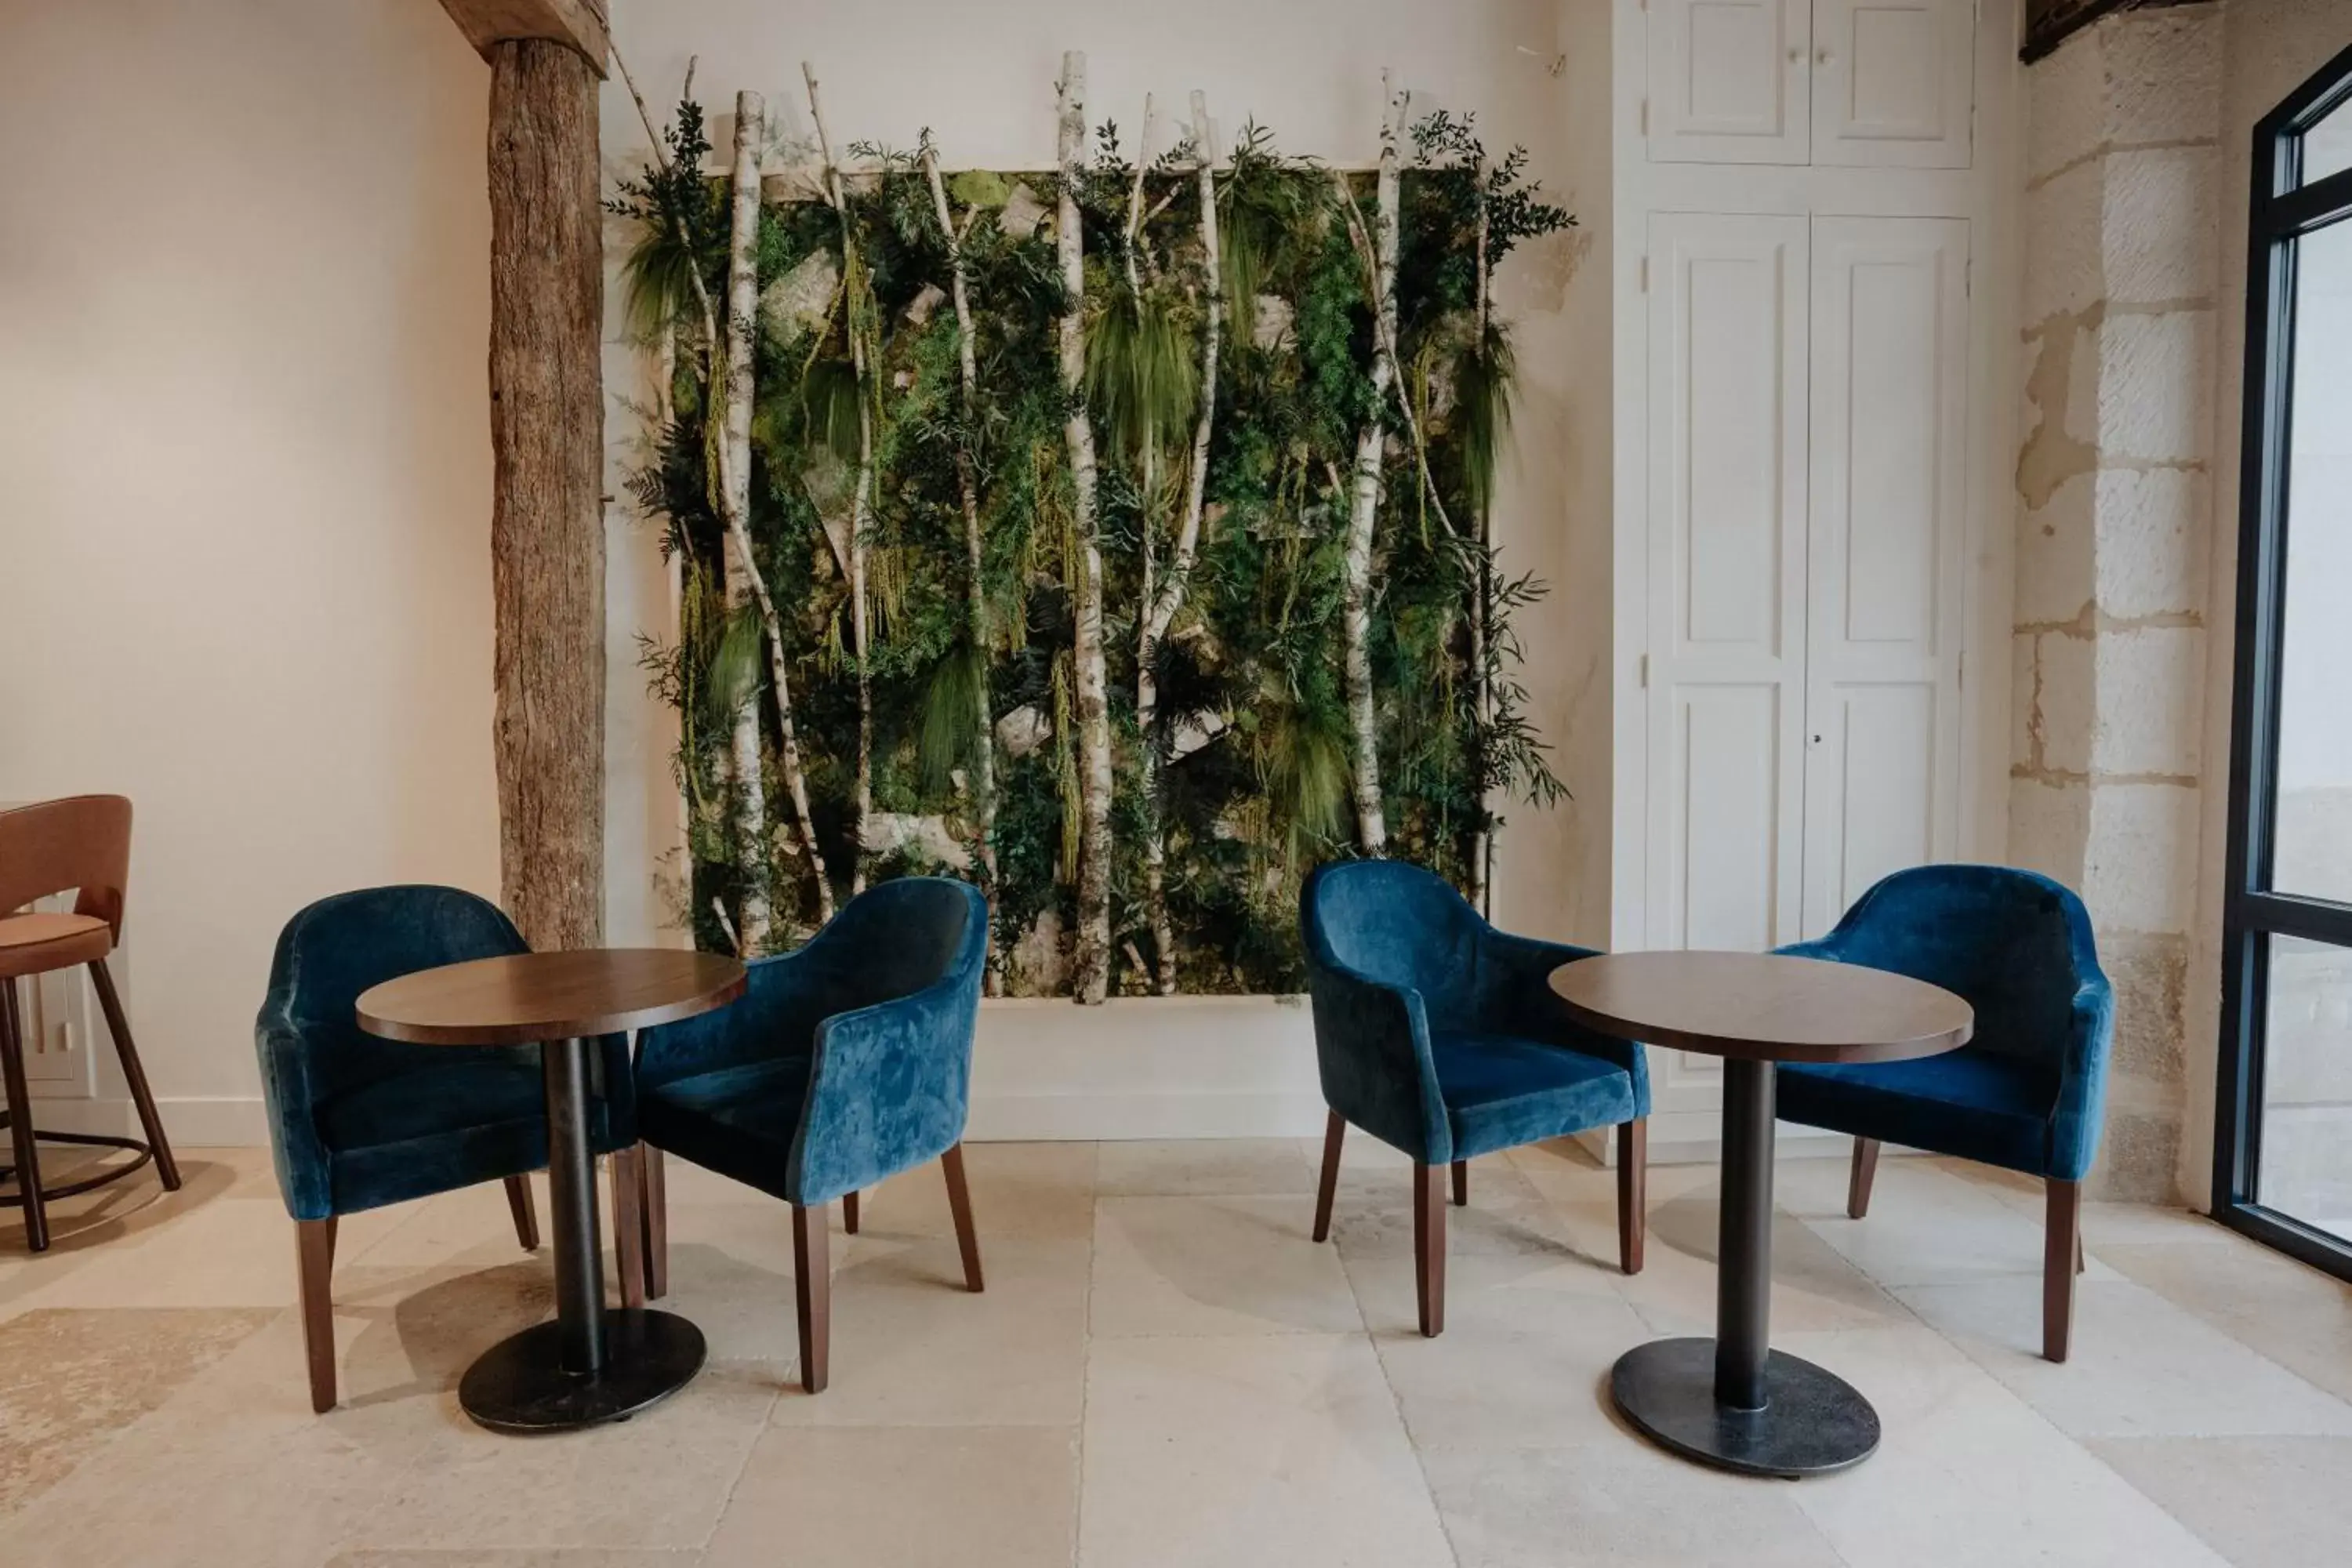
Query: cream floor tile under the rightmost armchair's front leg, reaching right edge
{"type": "Point", "coordinates": [2139, 1365]}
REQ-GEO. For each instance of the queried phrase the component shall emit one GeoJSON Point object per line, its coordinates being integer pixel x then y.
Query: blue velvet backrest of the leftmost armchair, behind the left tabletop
{"type": "Point", "coordinates": [340, 946]}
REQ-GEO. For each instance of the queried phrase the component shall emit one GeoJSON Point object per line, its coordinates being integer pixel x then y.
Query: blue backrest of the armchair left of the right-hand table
{"type": "Point", "coordinates": [1396, 923]}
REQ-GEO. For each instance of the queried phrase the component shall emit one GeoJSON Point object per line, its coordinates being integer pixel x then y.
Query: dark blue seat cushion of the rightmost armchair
{"type": "Point", "coordinates": [1970, 1104]}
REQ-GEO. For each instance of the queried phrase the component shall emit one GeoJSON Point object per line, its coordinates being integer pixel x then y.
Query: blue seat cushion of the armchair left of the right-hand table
{"type": "Point", "coordinates": [1504, 1092]}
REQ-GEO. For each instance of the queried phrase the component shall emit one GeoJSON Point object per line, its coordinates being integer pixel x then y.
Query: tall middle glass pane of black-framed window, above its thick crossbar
{"type": "Point", "coordinates": [2316, 662]}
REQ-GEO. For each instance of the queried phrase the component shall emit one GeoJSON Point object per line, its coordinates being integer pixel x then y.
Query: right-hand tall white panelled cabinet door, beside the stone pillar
{"type": "Point", "coordinates": [1887, 554]}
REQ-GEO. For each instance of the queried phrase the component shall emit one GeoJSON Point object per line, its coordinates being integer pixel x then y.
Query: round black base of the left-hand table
{"type": "Point", "coordinates": [521, 1383]}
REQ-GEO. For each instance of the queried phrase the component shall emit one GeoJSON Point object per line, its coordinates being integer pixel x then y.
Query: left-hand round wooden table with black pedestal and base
{"type": "Point", "coordinates": [592, 1365]}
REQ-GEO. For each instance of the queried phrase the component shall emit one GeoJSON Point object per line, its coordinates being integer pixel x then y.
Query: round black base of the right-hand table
{"type": "Point", "coordinates": [1812, 1421]}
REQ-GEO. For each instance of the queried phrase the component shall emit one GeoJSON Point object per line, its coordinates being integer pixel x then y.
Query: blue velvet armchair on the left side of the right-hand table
{"type": "Point", "coordinates": [1443, 1038]}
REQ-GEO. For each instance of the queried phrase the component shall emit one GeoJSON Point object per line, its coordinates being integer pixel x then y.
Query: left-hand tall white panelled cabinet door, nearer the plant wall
{"type": "Point", "coordinates": [1728, 516]}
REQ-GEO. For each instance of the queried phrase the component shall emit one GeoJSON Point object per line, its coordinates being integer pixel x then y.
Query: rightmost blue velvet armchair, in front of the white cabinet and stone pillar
{"type": "Point", "coordinates": [2026, 1092]}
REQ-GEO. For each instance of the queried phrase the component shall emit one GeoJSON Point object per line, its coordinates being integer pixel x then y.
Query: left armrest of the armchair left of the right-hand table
{"type": "Point", "coordinates": [1372, 1047]}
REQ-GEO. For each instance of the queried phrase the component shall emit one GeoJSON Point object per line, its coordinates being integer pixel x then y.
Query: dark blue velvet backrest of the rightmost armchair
{"type": "Point", "coordinates": [2014, 944]}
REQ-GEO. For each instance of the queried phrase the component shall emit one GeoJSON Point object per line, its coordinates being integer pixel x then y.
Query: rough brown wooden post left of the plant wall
{"type": "Point", "coordinates": [547, 436]}
